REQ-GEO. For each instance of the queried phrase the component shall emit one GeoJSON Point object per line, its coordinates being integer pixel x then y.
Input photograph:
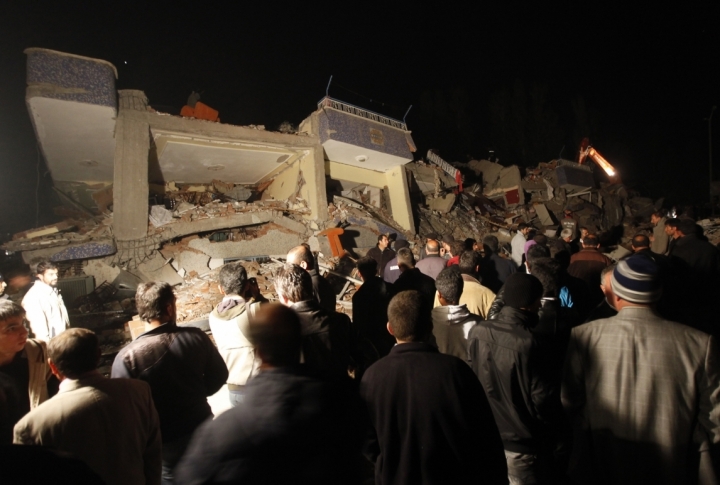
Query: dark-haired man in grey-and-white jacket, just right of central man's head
{"type": "Point", "coordinates": [451, 319]}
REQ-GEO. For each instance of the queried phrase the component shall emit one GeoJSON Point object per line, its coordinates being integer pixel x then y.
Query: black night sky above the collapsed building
{"type": "Point", "coordinates": [647, 77]}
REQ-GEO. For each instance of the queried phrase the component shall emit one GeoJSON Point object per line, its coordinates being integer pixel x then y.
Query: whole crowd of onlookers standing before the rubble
{"type": "Point", "coordinates": [552, 364]}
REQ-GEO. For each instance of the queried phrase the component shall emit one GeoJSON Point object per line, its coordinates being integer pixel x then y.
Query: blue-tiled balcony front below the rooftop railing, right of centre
{"type": "Point", "coordinates": [354, 130]}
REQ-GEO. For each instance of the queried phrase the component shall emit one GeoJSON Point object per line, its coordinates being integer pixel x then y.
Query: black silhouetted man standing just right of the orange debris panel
{"type": "Point", "coordinates": [370, 303]}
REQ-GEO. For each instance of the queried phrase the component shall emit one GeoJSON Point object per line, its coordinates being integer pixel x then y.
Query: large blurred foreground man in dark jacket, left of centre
{"type": "Point", "coordinates": [291, 428]}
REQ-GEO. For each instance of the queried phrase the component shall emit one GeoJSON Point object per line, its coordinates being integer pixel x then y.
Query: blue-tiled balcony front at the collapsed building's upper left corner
{"type": "Point", "coordinates": [80, 80]}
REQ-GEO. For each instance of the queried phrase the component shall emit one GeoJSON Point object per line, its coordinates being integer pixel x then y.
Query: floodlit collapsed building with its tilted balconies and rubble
{"type": "Point", "coordinates": [151, 196]}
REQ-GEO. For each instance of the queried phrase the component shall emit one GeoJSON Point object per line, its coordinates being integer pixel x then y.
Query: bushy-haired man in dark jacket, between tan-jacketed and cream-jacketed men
{"type": "Point", "coordinates": [181, 364]}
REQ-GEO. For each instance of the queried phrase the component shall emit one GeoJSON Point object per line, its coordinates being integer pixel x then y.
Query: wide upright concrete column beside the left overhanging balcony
{"type": "Point", "coordinates": [130, 180]}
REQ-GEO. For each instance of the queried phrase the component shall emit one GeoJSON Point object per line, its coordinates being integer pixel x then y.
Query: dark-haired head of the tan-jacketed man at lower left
{"type": "Point", "coordinates": [74, 352]}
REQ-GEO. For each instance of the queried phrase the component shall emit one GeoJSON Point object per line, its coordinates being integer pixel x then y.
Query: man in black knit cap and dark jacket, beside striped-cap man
{"type": "Point", "coordinates": [508, 361]}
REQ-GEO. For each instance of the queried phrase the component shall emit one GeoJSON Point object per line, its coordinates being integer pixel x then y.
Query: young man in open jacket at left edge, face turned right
{"type": "Point", "coordinates": [24, 369]}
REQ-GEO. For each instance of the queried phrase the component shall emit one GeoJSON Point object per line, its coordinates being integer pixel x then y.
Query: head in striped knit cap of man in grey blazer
{"type": "Point", "coordinates": [635, 282]}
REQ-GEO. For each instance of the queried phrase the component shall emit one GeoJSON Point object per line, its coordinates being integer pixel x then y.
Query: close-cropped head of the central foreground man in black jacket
{"type": "Point", "coordinates": [407, 320]}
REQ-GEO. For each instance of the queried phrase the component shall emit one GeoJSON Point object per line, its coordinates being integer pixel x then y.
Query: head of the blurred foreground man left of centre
{"type": "Point", "coordinates": [275, 333]}
